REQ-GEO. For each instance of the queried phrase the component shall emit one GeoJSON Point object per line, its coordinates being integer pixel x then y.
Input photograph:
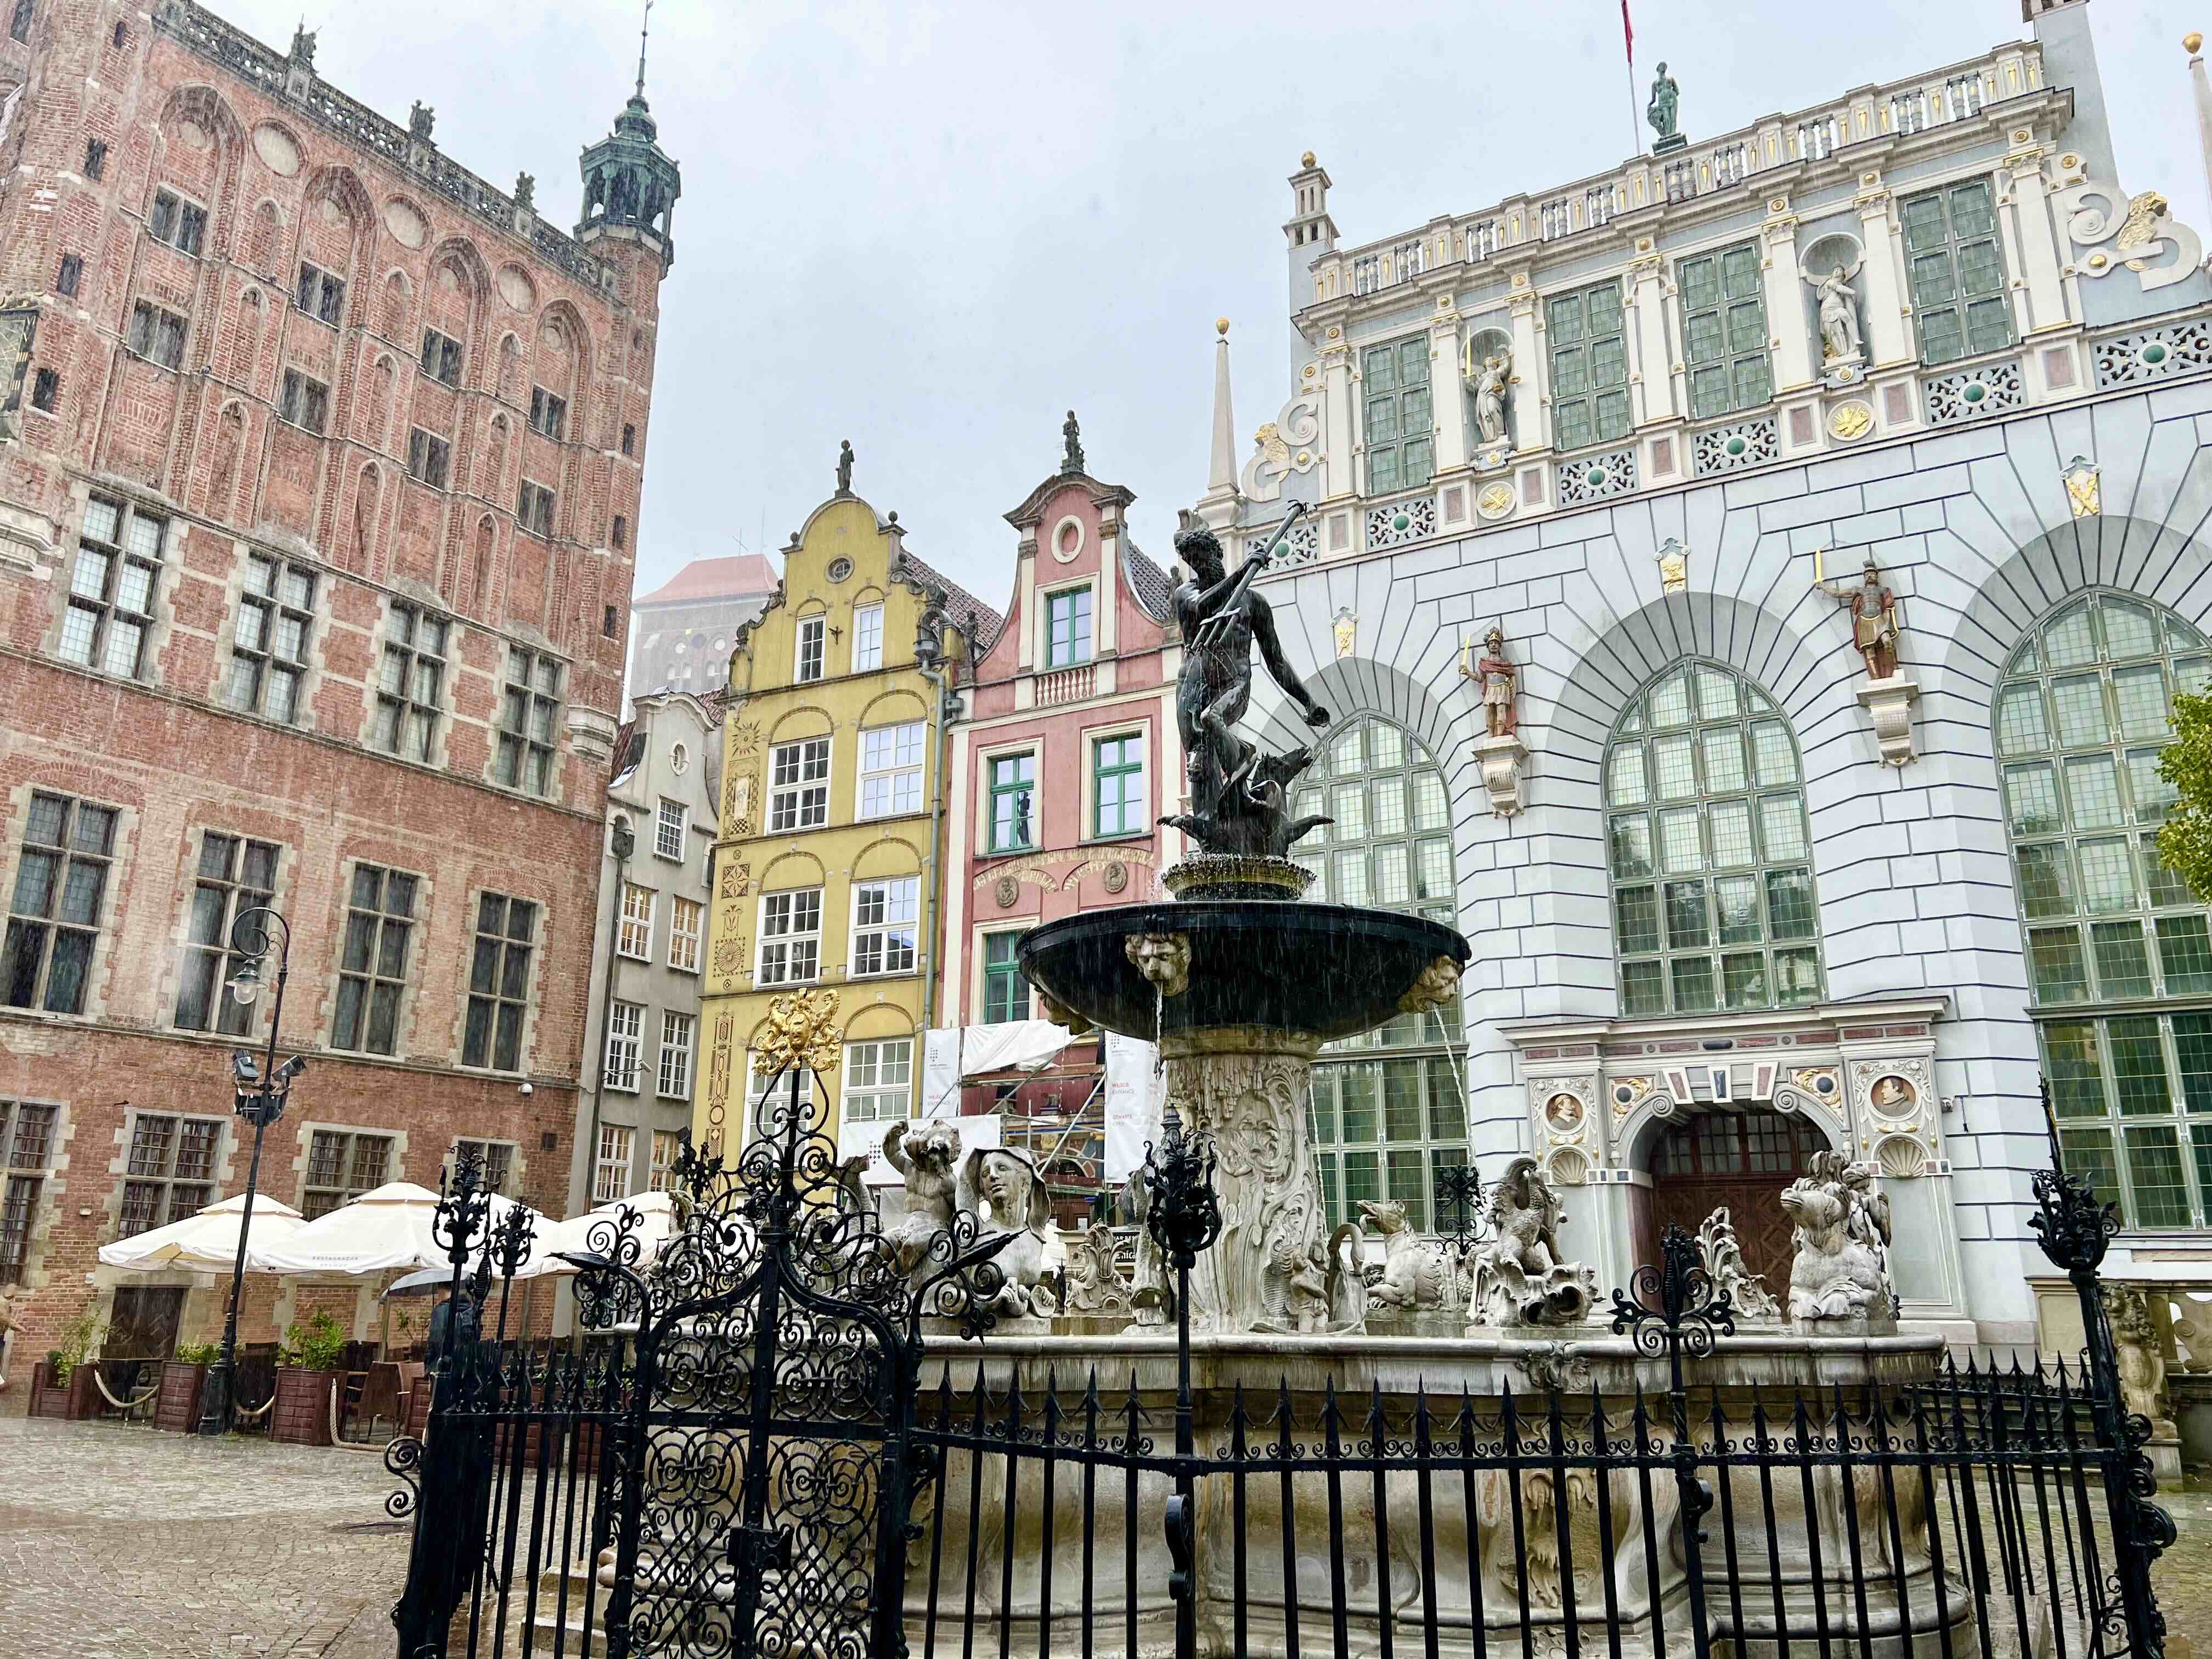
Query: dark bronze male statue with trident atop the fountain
{"type": "Point", "coordinates": [1235, 793]}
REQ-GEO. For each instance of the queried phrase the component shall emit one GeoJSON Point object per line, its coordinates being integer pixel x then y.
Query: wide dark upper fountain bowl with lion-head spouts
{"type": "Point", "coordinates": [1209, 963]}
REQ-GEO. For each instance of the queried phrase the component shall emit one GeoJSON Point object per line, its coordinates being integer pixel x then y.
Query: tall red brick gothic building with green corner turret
{"type": "Point", "coordinates": [317, 497]}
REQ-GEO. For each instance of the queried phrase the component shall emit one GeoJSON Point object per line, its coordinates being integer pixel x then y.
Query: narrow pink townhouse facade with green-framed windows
{"type": "Point", "coordinates": [1070, 749]}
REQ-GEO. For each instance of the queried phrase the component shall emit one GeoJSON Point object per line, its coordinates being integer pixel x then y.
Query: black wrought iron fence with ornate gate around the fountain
{"type": "Point", "coordinates": [784, 1439]}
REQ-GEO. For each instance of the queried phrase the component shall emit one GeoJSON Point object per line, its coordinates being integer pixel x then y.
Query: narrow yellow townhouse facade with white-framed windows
{"type": "Point", "coordinates": [828, 868]}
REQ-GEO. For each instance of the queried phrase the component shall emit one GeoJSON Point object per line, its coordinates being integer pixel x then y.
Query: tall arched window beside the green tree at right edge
{"type": "Point", "coordinates": [2120, 959]}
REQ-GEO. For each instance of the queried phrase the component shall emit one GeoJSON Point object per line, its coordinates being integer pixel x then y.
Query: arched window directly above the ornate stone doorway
{"type": "Point", "coordinates": [1713, 904]}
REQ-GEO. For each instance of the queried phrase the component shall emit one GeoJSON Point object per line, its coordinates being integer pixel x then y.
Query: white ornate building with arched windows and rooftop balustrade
{"type": "Point", "coordinates": [1733, 890]}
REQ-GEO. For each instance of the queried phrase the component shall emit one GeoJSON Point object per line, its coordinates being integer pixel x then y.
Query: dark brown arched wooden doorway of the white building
{"type": "Point", "coordinates": [1738, 1160]}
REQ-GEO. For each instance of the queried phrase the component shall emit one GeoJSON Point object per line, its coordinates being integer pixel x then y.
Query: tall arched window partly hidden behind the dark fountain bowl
{"type": "Point", "coordinates": [1388, 1107]}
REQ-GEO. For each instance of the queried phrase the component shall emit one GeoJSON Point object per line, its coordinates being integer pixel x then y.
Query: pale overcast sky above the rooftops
{"type": "Point", "coordinates": [932, 229]}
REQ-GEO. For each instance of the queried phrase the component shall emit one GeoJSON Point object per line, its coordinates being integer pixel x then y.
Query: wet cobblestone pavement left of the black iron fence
{"type": "Point", "coordinates": [138, 1545]}
